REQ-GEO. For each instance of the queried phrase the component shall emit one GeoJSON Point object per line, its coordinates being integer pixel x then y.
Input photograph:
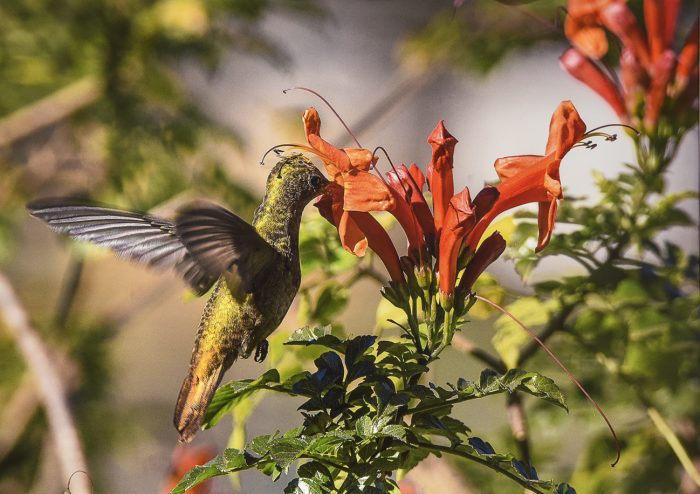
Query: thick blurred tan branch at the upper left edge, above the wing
{"type": "Point", "coordinates": [48, 110]}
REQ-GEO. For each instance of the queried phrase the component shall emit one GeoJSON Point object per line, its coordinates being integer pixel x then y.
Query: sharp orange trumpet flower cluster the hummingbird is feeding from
{"type": "Point", "coordinates": [451, 232]}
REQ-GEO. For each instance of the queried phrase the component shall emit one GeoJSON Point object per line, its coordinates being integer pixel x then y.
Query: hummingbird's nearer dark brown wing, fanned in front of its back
{"type": "Point", "coordinates": [225, 245]}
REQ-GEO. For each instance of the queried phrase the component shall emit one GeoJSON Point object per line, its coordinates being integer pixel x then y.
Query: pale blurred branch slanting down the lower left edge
{"type": "Point", "coordinates": [51, 388]}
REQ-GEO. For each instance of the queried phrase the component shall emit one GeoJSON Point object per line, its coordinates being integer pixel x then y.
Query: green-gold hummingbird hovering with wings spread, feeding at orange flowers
{"type": "Point", "coordinates": [254, 269]}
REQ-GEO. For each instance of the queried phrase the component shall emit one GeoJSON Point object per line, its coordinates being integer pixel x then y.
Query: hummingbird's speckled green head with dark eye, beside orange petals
{"type": "Point", "coordinates": [295, 180]}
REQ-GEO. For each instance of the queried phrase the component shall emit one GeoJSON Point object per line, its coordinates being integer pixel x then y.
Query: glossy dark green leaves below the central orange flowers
{"type": "Point", "coordinates": [365, 416]}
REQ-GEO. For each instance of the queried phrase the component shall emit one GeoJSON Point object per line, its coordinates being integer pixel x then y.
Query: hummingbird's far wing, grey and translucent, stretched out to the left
{"type": "Point", "coordinates": [136, 236]}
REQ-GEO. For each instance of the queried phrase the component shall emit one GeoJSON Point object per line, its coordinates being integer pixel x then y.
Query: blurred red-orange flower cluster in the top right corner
{"type": "Point", "coordinates": [650, 70]}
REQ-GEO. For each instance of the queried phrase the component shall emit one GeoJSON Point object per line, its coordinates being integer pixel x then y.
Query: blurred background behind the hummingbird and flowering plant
{"type": "Point", "coordinates": [147, 104]}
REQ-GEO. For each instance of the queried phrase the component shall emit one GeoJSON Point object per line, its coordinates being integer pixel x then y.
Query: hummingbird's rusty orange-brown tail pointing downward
{"type": "Point", "coordinates": [196, 392]}
